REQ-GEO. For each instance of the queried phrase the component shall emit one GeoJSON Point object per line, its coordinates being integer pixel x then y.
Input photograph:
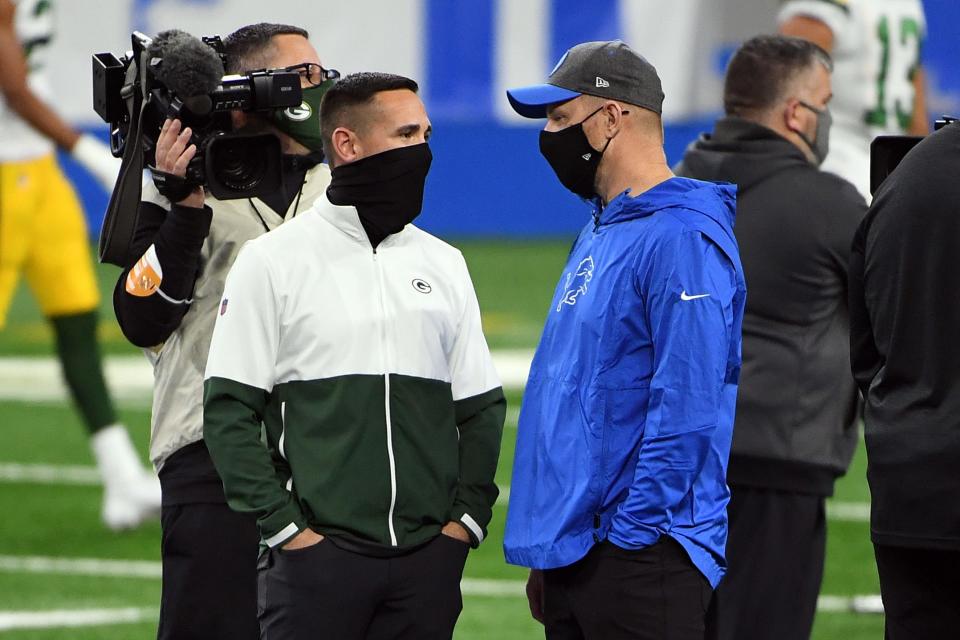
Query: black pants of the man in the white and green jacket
{"type": "Point", "coordinates": [323, 591]}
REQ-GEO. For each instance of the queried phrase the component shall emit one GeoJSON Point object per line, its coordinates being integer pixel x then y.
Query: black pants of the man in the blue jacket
{"type": "Point", "coordinates": [654, 593]}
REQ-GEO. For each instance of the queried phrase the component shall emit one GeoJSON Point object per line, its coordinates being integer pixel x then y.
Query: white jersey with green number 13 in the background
{"type": "Point", "coordinates": [876, 49]}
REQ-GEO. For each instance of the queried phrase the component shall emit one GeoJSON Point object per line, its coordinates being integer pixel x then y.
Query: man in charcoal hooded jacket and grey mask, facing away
{"type": "Point", "coordinates": [796, 420]}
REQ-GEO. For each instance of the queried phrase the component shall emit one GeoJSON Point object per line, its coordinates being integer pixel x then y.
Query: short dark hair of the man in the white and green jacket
{"type": "Point", "coordinates": [356, 89]}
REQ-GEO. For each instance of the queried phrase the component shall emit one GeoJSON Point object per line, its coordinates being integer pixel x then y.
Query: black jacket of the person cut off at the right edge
{"type": "Point", "coordinates": [905, 346]}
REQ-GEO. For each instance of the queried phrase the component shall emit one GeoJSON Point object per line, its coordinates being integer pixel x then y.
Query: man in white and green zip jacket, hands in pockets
{"type": "Point", "coordinates": [355, 339]}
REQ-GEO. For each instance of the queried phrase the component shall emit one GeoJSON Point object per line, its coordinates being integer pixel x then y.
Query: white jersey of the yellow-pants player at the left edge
{"type": "Point", "coordinates": [33, 25]}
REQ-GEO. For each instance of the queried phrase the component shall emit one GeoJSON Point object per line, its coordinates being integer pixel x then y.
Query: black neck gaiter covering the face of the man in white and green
{"type": "Point", "coordinates": [386, 188]}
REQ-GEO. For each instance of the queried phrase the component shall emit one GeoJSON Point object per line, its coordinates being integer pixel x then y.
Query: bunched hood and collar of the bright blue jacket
{"type": "Point", "coordinates": [689, 194]}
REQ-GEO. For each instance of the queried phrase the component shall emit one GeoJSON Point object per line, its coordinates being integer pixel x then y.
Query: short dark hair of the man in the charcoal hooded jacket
{"type": "Point", "coordinates": [762, 69]}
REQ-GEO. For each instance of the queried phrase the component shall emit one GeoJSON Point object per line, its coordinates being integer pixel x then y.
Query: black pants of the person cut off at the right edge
{"type": "Point", "coordinates": [921, 592]}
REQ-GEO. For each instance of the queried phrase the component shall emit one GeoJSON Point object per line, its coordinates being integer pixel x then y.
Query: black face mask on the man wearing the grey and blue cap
{"type": "Point", "coordinates": [572, 157]}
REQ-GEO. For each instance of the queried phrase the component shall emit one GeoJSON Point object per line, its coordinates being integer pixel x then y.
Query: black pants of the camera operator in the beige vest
{"type": "Point", "coordinates": [209, 574]}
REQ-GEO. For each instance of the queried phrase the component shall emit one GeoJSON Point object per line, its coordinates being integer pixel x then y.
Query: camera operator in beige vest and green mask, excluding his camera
{"type": "Point", "coordinates": [166, 302]}
